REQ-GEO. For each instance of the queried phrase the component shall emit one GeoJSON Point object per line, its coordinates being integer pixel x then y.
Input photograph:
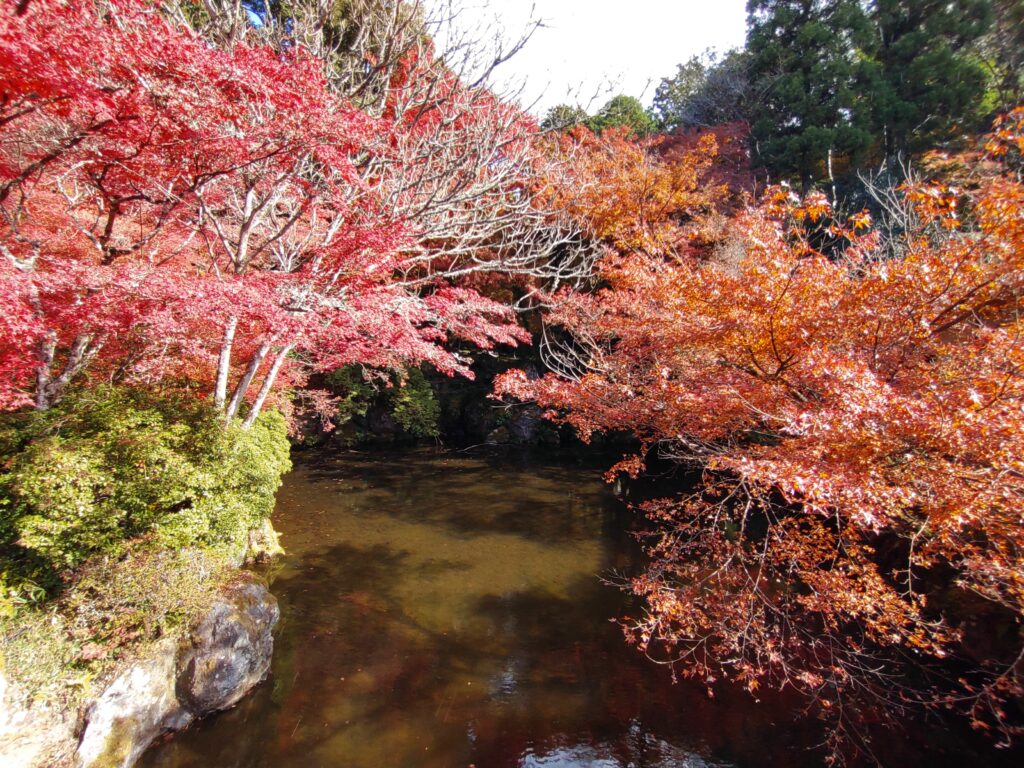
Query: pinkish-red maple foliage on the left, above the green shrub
{"type": "Point", "coordinates": [170, 209]}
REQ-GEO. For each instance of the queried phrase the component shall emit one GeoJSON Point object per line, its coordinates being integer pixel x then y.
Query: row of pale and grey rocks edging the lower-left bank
{"type": "Point", "coordinates": [211, 668]}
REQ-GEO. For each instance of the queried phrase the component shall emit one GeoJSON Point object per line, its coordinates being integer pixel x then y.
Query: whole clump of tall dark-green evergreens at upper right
{"type": "Point", "coordinates": [842, 82]}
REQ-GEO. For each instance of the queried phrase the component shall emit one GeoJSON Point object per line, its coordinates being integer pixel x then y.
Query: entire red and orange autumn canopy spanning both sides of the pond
{"type": "Point", "coordinates": [230, 220]}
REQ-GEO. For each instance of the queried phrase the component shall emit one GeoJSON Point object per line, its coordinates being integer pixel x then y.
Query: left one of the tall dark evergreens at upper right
{"type": "Point", "coordinates": [803, 65]}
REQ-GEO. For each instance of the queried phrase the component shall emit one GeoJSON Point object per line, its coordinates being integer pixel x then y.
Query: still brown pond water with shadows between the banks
{"type": "Point", "coordinates": [444, 611]}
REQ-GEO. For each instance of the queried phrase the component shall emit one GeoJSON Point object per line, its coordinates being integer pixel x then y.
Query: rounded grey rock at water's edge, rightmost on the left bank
{"type": "Point", "coordinates": [230, 652]}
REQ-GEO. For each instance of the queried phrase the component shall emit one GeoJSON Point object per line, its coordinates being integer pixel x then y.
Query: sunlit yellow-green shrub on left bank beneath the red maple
{"type": "Point", "coordinates": [114, 465]}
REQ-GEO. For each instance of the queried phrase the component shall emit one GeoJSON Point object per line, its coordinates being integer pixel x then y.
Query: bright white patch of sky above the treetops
{"type": "Point", "coordinates": [590, 51]}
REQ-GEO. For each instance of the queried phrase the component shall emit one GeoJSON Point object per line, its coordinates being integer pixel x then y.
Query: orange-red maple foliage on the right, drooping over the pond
{"type": "Point", "coordinates": [861, 426]}
